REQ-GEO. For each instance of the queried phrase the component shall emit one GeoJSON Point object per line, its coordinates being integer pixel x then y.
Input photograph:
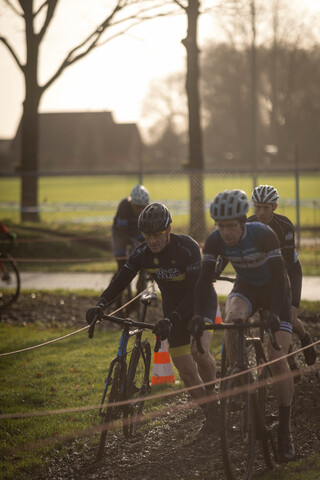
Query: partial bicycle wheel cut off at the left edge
{"type": "Point", "coordinates": [9, 281]}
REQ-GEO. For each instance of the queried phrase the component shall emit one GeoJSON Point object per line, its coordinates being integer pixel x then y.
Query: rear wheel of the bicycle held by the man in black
{"type": "Point", "coordinates": [138, 384]}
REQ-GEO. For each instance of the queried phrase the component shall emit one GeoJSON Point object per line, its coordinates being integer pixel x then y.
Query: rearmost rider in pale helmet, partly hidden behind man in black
{"type": "Point", "coordinates": [125, 232]}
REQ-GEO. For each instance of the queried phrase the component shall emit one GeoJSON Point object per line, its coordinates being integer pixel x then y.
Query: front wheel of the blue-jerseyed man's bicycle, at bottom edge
{"type": "Point", "coordinates": [237, 428]}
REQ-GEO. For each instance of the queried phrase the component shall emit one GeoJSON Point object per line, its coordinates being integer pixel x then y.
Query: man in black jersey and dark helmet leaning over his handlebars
{"type": "Point", "coordinates": [174, 262]}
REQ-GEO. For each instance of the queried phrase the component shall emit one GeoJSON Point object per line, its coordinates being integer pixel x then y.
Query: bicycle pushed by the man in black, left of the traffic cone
{"type": "Point", "coordinates": [127, 382]}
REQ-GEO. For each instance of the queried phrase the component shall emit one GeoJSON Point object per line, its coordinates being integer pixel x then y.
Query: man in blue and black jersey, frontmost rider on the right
{"type": "Point", "coordinates": [261, 282]}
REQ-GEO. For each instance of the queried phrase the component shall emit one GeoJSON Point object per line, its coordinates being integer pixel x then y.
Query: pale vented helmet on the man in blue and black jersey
{"type": "Point", "coordinates": [228, 205]}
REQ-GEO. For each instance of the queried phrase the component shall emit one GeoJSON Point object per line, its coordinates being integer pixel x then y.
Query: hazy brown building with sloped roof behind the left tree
{"type": "Point", "coordinates": [84, 141]}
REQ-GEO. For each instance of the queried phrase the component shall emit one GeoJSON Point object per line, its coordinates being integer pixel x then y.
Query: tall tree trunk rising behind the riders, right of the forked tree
{"type": "Point", "coordinates": [196, 160]}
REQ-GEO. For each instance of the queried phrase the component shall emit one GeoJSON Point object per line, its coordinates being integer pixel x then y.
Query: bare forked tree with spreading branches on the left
{"type": "Point", "coordinates": [37, 16]}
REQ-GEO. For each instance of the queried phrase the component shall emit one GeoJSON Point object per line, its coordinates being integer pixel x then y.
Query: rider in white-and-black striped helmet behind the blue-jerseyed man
{"type": "Point", "coordinates": [265, 199]}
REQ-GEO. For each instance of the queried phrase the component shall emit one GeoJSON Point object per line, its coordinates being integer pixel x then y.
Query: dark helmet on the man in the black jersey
{"type": "Point", "coordinates": [155, 217]}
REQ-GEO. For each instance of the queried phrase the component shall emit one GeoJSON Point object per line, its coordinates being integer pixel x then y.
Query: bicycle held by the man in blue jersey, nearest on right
{"type": "Point", "coordinates": [249, 409]}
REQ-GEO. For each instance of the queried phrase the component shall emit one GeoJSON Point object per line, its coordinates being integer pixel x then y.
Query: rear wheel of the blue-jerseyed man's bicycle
{"type": "Point", "coordinates": [268, 412]}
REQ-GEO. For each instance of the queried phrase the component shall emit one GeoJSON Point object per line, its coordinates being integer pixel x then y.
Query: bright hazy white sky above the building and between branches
{"type": "Point", "coordinates": [114, 77]}
